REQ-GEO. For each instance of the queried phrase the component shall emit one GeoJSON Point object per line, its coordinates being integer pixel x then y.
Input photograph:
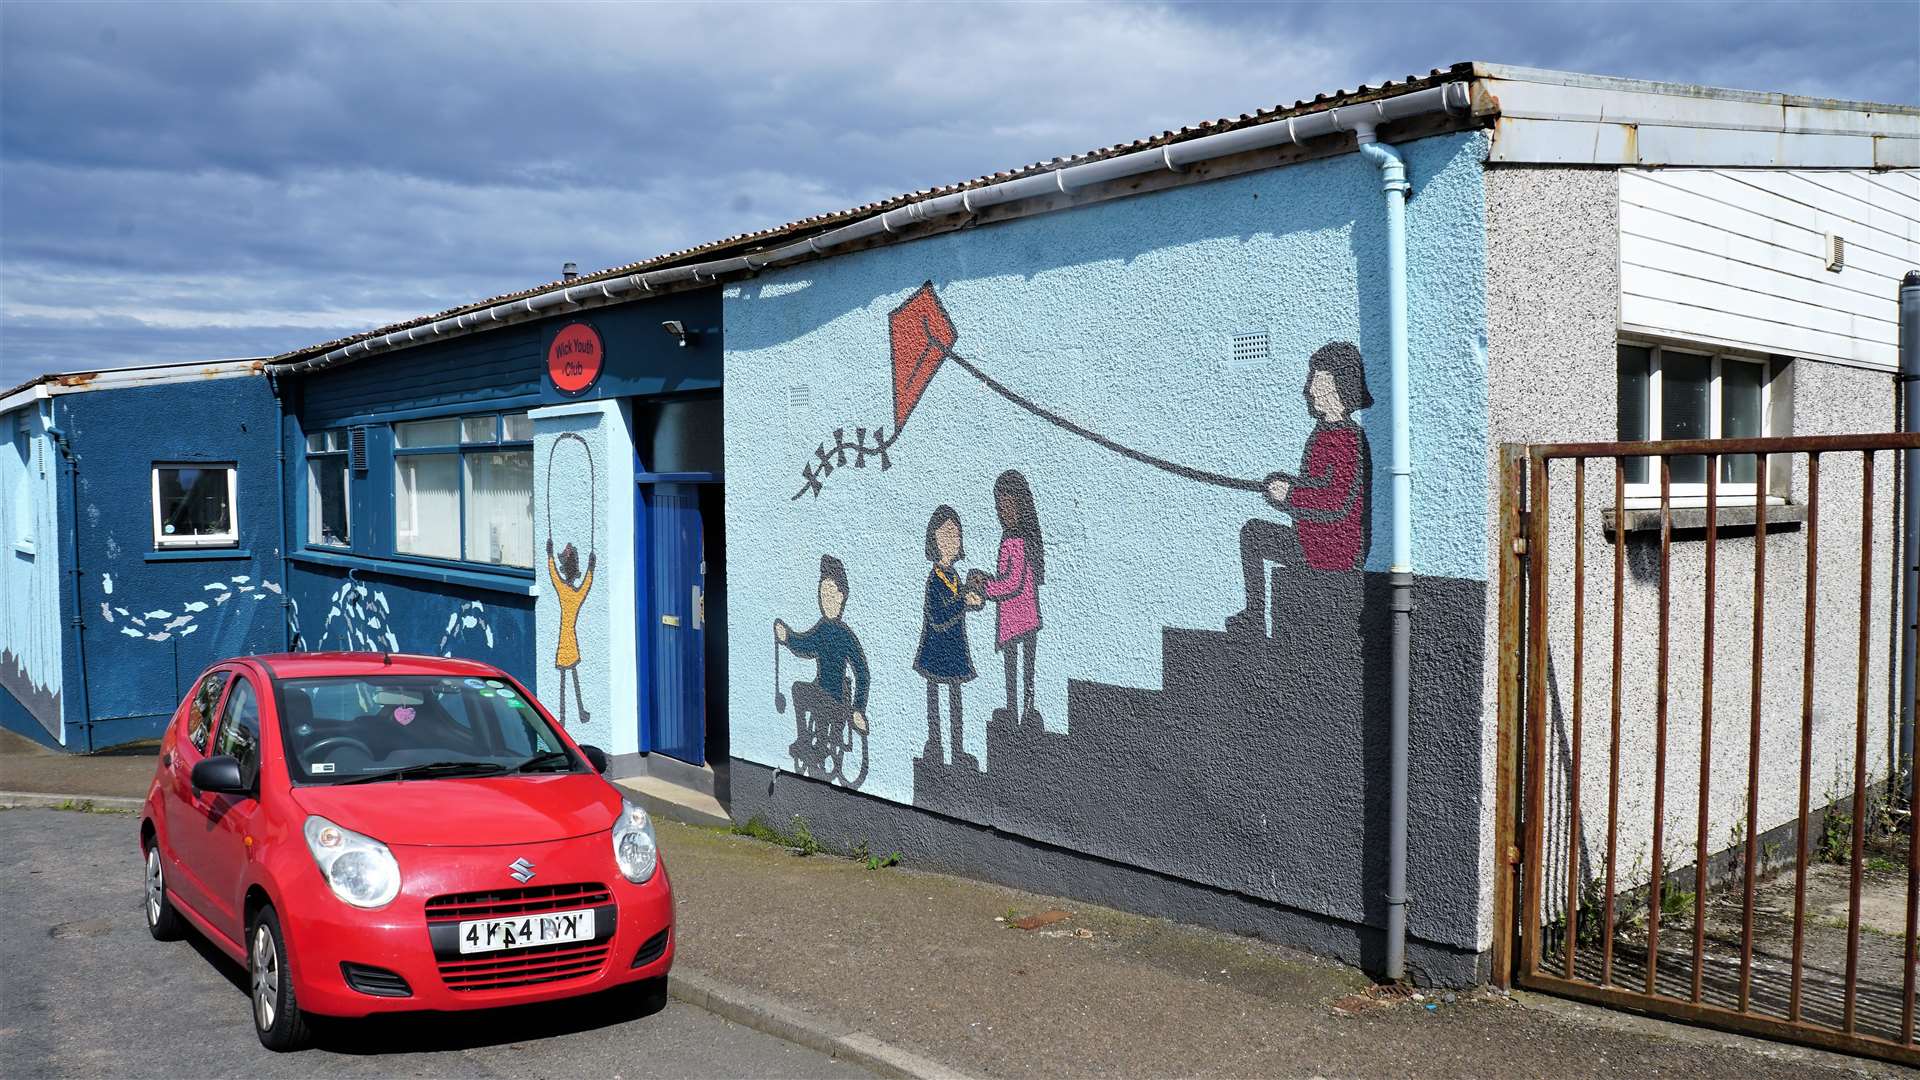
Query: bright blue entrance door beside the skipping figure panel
{"type": "Point", "coordinates": [677, 626]}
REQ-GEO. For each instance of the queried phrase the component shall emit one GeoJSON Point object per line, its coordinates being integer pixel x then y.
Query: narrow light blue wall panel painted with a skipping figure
{"type": "Point", "coordinates": [585, 497]}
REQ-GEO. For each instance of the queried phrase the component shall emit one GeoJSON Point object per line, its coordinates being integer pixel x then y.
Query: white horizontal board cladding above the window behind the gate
{"type": "Point", "coordinates": [1739, 258]}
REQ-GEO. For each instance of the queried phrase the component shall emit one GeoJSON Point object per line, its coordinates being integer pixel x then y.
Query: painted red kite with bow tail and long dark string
{"type": "Point", "coordinates": [923, 335]}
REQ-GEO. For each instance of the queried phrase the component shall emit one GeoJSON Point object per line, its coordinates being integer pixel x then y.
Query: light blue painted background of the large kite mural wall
{"type": "Point", "coordinates": [1118, 316]}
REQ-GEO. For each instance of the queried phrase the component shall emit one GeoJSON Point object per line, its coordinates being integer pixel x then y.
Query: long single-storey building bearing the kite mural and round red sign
{"type": "Point", "coordinates": [1088, 516]}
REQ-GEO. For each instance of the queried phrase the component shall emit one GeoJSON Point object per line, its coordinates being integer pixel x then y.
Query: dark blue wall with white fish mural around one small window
{"type": "Point", "coordinates": [155, 620]}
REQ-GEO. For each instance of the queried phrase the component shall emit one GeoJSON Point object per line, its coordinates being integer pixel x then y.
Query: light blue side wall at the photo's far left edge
{"type": "Point", "coordinates": [32, 551]}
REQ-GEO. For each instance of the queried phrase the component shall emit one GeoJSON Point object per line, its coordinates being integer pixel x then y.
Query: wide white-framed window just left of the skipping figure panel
{"type": "Point", "coordinates": [464, 489]}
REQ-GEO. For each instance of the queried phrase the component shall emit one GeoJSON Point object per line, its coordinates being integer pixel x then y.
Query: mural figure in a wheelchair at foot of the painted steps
{"type": "Point", "coordinates": [830, 710]}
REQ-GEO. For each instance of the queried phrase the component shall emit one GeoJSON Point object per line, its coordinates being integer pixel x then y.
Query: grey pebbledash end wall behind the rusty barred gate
{"type": "Point", "coordinates": [1556, 291]}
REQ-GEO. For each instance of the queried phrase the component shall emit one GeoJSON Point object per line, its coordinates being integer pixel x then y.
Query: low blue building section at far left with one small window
{"type": "Point", "coordinates": [141, 522]}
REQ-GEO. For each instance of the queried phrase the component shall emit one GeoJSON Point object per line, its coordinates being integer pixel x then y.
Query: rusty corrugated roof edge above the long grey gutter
{"type": "Point", "coordinates": [823, 222]}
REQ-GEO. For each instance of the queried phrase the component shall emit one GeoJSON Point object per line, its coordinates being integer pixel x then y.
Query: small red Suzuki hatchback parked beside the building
{"type": "Point", "coordinates": [391, 833]}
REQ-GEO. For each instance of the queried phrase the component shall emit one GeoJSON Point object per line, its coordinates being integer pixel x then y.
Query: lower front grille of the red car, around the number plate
{"type": "Point", "coordinates": [519, 968]}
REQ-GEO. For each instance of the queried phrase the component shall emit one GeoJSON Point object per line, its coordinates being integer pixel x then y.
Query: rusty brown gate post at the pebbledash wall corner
{"type": "Point", "coordinates": [1510, 708]}
